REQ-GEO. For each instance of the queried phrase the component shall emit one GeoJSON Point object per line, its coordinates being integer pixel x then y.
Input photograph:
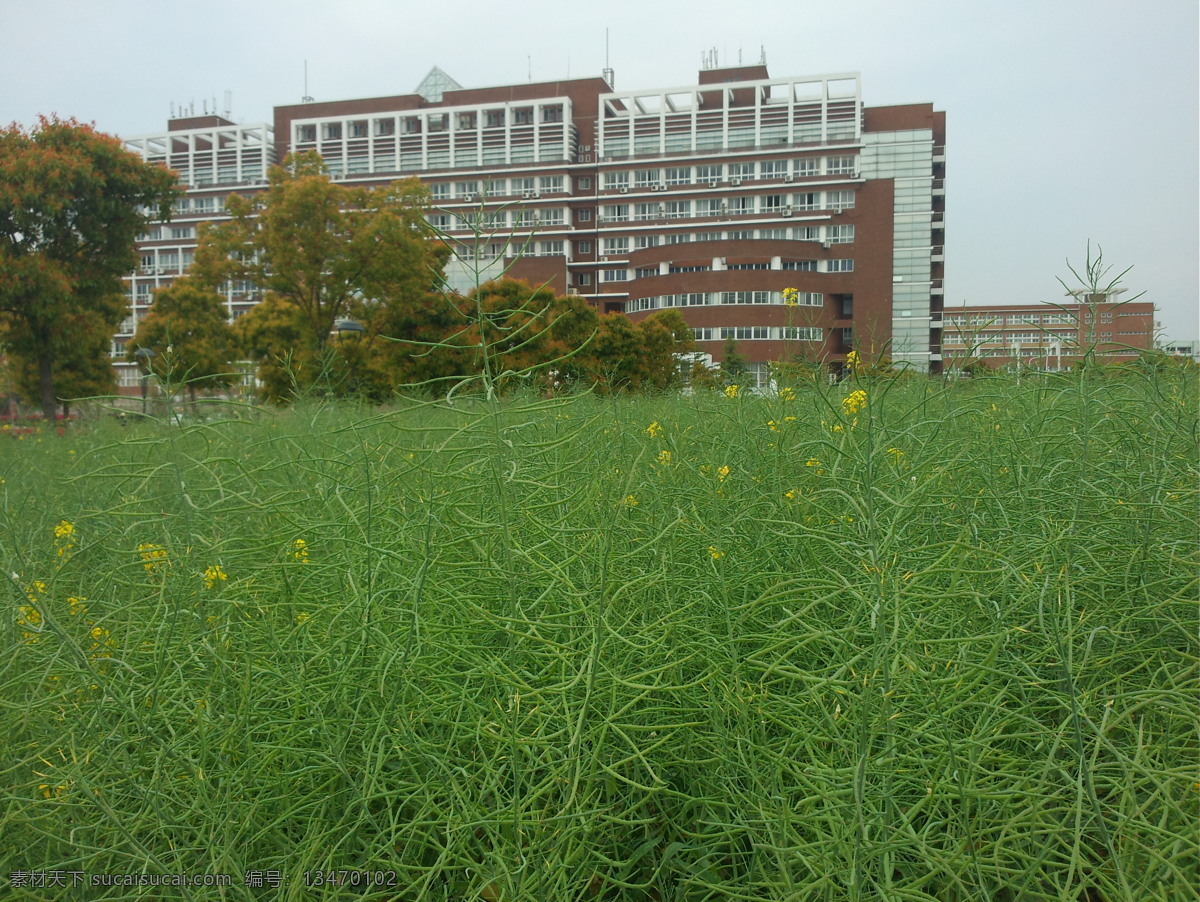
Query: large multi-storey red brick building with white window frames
{"type": "Point", "coordinates": [711, 199]}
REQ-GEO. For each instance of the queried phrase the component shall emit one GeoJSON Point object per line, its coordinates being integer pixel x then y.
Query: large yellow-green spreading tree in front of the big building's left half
{"type": "Point", "coordinates": [325, 252]}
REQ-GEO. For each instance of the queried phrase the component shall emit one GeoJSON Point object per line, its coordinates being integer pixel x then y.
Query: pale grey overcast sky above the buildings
{"type": "Point", "coordinates": [1067, 122]}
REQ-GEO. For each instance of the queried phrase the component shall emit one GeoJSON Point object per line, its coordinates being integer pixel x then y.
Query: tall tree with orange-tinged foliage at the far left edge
{"type": "Point", "coordinates": [73, 203]}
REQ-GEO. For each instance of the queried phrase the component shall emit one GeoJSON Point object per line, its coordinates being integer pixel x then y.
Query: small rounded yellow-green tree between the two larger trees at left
{"type": "Point", "coordinates": [187, 328]}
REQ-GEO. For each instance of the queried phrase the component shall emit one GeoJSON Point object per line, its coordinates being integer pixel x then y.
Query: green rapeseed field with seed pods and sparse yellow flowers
{"type": "Point", "coordinates": [939, 648]}
